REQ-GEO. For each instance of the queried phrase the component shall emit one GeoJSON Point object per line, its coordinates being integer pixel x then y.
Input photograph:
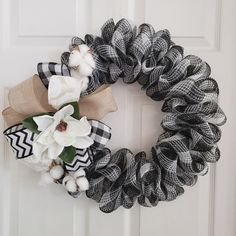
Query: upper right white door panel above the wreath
{"type": "Point", "coordinates": [193, 24]}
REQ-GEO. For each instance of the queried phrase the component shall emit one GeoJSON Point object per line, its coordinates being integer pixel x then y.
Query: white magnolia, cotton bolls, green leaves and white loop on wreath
{"type": "Point", "coordinates": [60, 133]}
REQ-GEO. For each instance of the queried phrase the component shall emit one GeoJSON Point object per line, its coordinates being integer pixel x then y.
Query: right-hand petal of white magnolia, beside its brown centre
{"type": "Point", "coordinates": [78, 127]}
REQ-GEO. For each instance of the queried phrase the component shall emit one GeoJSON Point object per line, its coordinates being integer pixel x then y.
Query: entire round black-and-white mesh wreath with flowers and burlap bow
{"type": "Point", "coordinates": [54, 137]}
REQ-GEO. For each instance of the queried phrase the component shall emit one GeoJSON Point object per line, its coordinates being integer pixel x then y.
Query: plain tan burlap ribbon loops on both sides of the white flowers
{"type": "Point", "coordinates": [31, 98]}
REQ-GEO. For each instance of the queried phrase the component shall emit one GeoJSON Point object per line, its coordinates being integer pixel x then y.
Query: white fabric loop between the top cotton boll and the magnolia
{"type": "Point", "coordinates": [65, 89]}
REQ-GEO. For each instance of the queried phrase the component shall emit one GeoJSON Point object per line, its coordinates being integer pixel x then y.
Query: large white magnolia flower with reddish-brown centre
{"type": "Point", "coordinates": [59, 131]}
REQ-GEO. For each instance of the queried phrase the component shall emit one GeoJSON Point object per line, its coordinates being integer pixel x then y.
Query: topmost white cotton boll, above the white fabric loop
{"type": "Point", "coordinates": [81, 60]}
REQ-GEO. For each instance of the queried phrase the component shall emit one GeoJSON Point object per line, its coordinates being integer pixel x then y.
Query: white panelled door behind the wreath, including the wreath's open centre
{"type": "Point", "coordinates": [32, 31]}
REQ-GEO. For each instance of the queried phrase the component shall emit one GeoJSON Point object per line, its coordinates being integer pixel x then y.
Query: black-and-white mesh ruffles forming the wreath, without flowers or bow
{"type": "Point", "coordinates": [191, 123]}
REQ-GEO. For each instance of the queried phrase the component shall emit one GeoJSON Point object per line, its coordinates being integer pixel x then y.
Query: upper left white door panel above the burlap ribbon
{"type": "Point", "coordinates": [46, 18]}
